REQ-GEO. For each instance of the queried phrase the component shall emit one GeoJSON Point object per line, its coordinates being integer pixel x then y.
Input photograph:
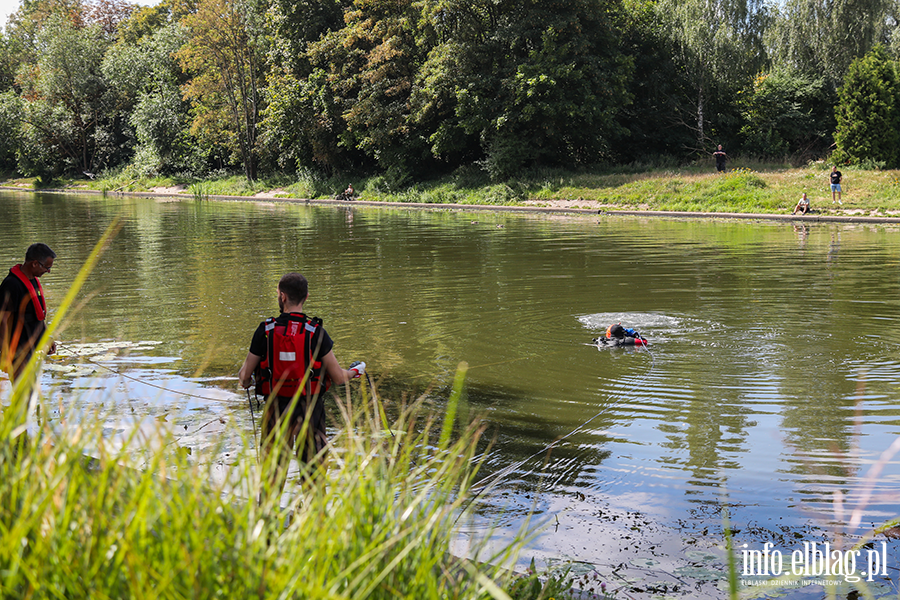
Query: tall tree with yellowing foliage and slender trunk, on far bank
{"type": "Point", "coordinates": [225, 57]}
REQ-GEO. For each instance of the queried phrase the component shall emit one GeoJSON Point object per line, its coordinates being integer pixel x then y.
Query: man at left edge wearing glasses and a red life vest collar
{"type": "Point", "coordinates": [23, 309]}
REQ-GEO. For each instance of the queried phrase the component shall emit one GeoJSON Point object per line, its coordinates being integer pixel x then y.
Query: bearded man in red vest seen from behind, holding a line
{"type": "Point", "coordinates": [293, 359]}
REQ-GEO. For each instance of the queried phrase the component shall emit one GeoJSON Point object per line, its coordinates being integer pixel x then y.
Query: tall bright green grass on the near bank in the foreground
{"type": "Point", "coordinates": [83, 516]}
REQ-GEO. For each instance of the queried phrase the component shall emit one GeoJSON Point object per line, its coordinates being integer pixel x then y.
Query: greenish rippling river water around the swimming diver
{"type": "Point", "coordinates": [770, 383]}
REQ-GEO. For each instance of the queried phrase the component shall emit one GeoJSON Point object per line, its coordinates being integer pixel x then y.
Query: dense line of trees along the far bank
{"type": "Point", "coordinates": [414, 88]}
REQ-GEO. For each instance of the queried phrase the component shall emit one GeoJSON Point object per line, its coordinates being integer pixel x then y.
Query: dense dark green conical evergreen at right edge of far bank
{"type": "Point", "coordinates": [868, 111]}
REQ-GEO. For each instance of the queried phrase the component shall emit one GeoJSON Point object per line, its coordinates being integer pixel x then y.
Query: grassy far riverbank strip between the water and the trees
{"type": "Point", "coordinates": [748, 187]}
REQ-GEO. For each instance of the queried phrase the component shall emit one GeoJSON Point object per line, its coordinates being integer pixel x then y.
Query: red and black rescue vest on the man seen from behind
{"type": "Point", "coordinates": [292, 362]}
